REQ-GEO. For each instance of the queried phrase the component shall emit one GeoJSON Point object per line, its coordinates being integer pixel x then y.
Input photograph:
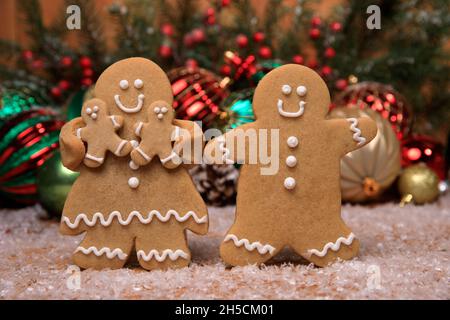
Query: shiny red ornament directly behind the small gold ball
{"type": "Point", "coordinates": [420, 148]}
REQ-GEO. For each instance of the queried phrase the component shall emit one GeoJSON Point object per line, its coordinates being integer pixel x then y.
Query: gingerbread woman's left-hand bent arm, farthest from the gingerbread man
{"type": "Point", "coordinates": [72, 148]}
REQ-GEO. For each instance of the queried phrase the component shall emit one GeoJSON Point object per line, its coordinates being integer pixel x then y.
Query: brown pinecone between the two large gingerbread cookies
{"type": "Point", "coordinates": [216, 183]}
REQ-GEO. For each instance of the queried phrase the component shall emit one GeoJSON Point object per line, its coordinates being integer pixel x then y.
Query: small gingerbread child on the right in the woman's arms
{"type": "Point", "coordinates": [156, 136]}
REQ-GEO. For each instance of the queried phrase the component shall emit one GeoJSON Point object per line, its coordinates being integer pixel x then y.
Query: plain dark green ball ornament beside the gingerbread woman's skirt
{"type": "Point", "coordinates": [53, 184]}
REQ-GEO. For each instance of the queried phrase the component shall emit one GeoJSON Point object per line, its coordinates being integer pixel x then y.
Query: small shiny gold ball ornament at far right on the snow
{"type": "Point", "coordinates": [418, 184]}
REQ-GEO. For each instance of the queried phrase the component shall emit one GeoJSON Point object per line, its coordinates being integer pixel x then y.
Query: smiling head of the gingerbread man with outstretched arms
{"type": "Point", "coordinates": [291, 92]}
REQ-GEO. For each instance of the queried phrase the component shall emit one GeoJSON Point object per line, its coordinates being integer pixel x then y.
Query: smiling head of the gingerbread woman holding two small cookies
{"type": "Point", "coordinates": [130, 86]}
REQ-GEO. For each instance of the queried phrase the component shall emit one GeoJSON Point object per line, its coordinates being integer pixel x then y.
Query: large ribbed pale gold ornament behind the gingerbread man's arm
{"type": "Point", "coordinates": [367, 172]}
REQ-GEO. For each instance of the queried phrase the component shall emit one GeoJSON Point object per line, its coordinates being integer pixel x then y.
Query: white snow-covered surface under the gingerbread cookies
{"type": "Point", "coordinates": [405, 254]}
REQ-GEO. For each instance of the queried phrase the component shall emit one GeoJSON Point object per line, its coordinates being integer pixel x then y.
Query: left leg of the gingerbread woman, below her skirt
{"type": "Point", "coordinates": [104, 247]}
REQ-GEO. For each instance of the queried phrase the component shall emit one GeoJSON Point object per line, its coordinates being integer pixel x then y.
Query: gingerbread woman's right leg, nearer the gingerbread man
{"type": "Point", "coordinates": [168, 250]}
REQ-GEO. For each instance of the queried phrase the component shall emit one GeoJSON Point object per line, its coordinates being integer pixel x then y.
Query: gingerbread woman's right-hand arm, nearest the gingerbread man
{"type": "Point", "coordinates": [188, 141]}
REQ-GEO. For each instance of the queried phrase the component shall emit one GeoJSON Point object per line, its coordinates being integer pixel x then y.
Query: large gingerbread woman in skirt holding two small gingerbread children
{"type": "Point", "coordinates": [128, 202]}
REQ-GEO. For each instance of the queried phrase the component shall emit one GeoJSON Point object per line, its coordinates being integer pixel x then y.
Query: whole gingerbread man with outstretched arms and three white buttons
{"type": "Point", "coordinates": [300, 204]}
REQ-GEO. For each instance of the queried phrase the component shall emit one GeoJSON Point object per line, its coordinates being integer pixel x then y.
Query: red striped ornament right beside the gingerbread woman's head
{"type": "Point", "coordinates": [197, 94]}
